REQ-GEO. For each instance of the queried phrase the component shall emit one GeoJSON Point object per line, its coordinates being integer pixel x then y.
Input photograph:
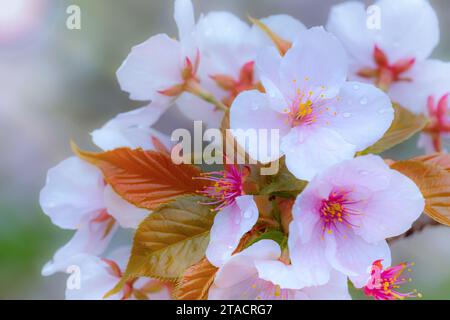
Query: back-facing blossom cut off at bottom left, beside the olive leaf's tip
{"type": "Point", "coordinates": [98, 275]}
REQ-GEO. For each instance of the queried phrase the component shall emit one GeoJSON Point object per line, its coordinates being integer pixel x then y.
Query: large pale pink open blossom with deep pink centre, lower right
{"type": "Point", "coordinates": [344, 215]}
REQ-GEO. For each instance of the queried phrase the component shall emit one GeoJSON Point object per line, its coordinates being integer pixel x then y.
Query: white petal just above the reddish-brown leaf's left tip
{"type": "Point", "coordinates": [132, 129]}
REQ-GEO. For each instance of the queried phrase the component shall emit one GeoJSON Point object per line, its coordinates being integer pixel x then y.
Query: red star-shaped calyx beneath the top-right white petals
{"type": "Point", "coordinates": [386, 73]}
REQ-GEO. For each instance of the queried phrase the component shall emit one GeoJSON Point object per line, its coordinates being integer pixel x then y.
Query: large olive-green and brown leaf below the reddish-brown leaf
{"type": "Point", "coordinates": [170, 240]}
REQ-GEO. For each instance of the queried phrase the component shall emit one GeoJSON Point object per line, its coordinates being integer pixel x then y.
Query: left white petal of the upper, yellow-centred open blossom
{"type": "Point", "coordinates": [250, 112]}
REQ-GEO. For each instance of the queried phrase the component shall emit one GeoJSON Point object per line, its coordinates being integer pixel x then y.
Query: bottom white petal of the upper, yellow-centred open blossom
{"type": "Point", "coordinates": [311, 150]}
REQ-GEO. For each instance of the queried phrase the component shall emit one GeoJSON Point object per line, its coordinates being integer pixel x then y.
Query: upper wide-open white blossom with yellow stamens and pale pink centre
{"type": "Point", "coordinates": [321, 118]}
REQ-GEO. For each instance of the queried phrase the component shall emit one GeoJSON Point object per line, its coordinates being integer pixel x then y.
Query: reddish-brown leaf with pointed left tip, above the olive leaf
{"type": "Point", "coordinates": [144, 178]}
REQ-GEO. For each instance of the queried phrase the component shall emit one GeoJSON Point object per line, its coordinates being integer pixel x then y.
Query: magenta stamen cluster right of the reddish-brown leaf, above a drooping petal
{"type": "Point", "coordinates": [227, 185]}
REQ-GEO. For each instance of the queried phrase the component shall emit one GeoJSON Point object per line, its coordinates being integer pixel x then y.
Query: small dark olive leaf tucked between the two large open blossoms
{"type": "Point", "coordinates": [283, 184]}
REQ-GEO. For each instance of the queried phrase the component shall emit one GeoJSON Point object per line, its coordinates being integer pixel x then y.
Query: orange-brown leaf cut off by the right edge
{"type": "Point", "coordinates": [434, 183]}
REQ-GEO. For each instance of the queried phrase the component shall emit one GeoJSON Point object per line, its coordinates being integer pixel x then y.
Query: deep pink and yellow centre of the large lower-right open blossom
{"type": "Point", "coordinates": [337, 212]}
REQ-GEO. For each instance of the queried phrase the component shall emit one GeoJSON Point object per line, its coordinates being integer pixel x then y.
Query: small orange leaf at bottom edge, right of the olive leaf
{"type": "Point", "coordinates": [196, 281]}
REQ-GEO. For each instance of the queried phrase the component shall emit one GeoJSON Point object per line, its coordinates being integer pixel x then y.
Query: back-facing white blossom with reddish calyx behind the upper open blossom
{"type": "Point", "coordinates": [228, 48]}
